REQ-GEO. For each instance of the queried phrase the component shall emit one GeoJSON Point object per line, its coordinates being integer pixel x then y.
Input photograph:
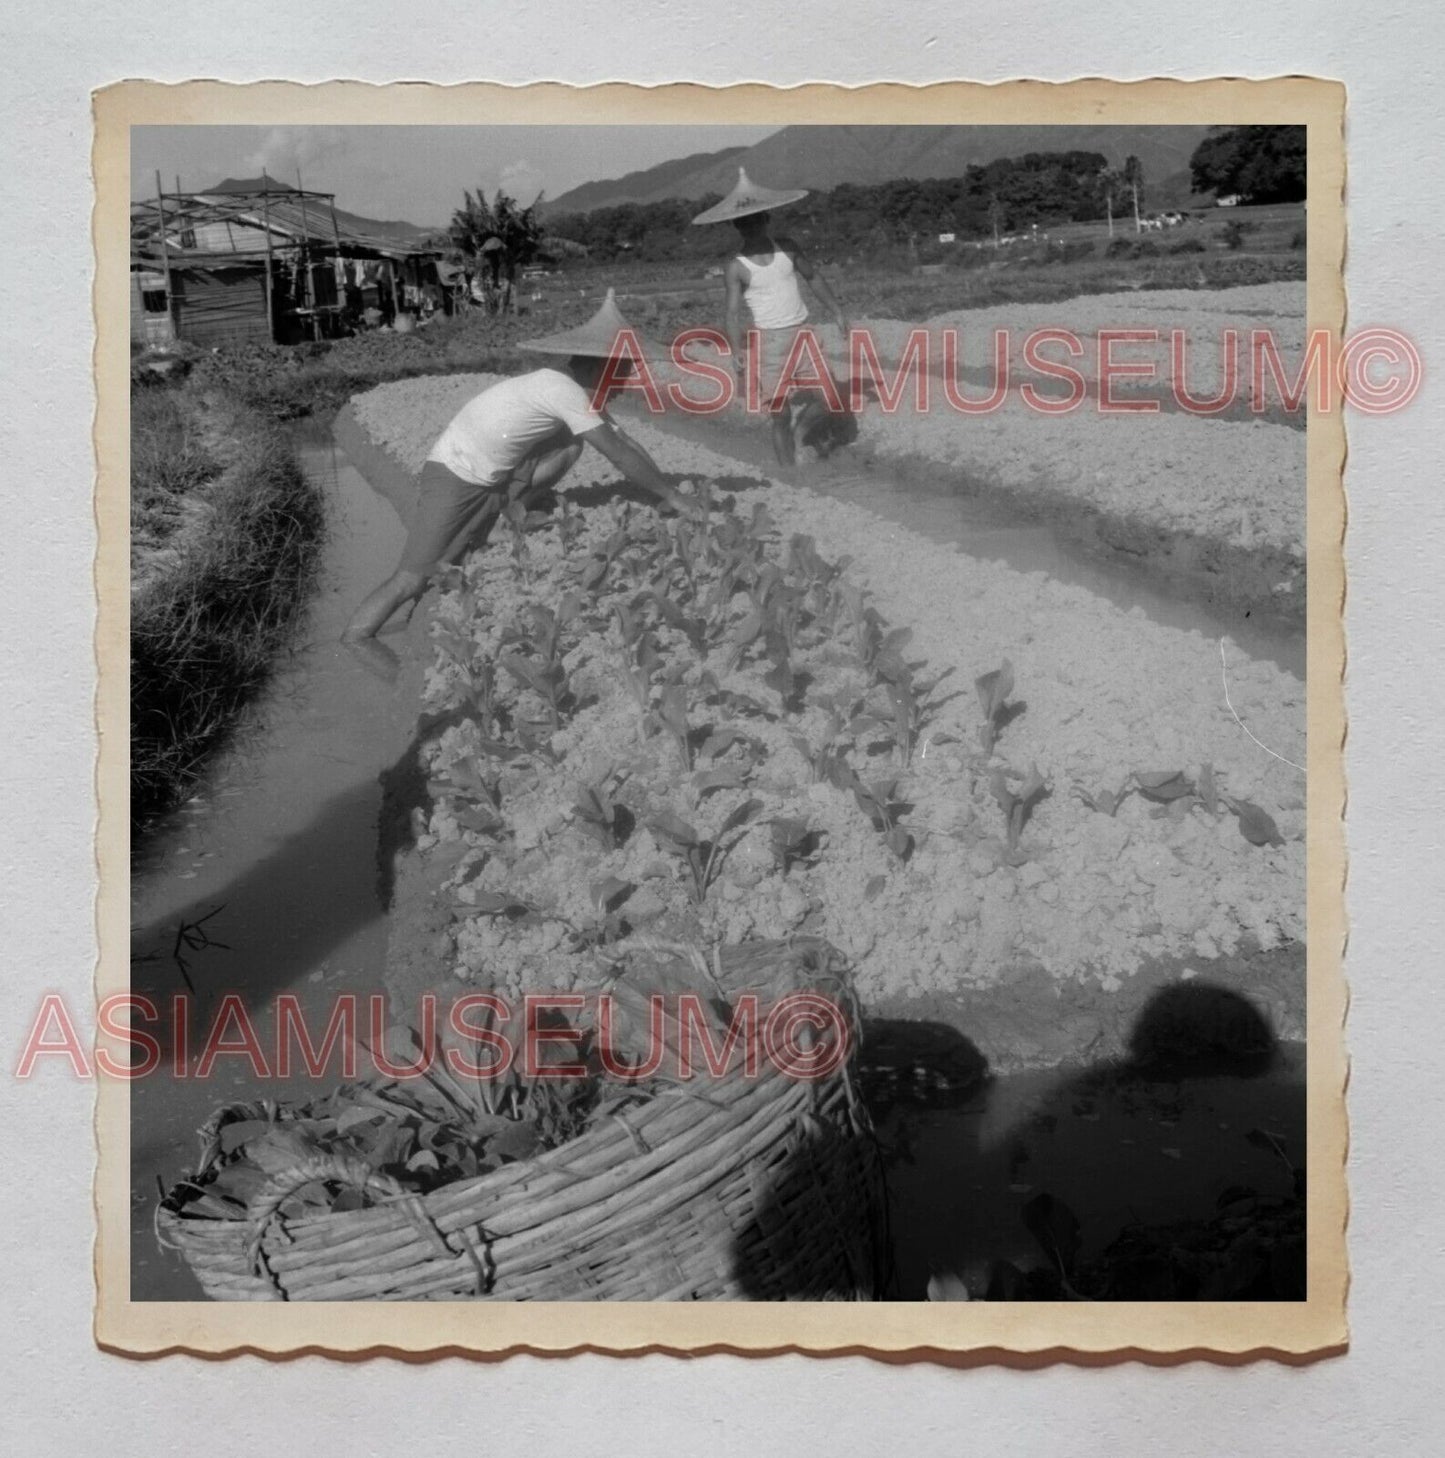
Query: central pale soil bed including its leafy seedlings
{"type": "Point", "coordinates": [639, 731]}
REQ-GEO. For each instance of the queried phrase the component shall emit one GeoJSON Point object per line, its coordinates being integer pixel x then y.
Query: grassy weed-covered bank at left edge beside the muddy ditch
{"type": "Point", "coordinates": [225, 542]}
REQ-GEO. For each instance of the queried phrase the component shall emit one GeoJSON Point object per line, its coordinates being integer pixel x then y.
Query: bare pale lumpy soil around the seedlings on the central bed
{"type": "Point", "coordinates": [1100, 905]}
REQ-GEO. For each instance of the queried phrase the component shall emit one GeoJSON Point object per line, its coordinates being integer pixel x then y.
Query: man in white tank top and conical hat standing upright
{"type": "Point", "coordinates": [765, 279]}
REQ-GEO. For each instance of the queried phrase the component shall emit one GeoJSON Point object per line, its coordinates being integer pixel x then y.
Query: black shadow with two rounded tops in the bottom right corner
{"type": "Point", "coordinates": [1173, 1173]}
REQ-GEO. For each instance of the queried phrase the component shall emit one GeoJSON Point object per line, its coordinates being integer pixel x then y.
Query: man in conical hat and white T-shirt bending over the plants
{"type": "Point", "coordinates": [511, 444]}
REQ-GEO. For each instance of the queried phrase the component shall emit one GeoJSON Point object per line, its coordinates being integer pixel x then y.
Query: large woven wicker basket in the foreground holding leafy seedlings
{"type": "Point", "coordinates": [763, 1189]}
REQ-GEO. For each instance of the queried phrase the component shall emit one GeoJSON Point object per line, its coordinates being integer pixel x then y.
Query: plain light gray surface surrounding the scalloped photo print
{"type": "Point", "coordinates": [1382, 1399]}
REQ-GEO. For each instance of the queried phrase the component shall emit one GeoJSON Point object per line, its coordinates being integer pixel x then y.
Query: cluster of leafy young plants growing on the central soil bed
{"type": "Point", "coordinates": [727, 671]}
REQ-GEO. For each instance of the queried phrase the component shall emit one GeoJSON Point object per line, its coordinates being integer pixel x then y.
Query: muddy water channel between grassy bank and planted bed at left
{"type": "Point", "coordinates": [266, 883]}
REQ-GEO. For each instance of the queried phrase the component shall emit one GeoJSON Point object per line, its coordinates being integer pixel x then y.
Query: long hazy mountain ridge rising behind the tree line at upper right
{"type": "Point", "coordinates": [826, 157]}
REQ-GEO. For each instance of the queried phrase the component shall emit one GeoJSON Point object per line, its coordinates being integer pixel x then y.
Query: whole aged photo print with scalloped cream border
{"type": "Point", "coordinates": [870, 842]}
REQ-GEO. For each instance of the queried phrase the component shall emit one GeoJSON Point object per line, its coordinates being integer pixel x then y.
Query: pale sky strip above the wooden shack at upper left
{"type": "Point", "coordinates": [415, 174]}
